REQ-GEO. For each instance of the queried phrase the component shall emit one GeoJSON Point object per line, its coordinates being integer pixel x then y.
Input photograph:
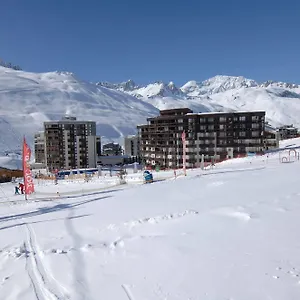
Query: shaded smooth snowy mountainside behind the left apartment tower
{"type": "Point", "coordinates": [29, 99]}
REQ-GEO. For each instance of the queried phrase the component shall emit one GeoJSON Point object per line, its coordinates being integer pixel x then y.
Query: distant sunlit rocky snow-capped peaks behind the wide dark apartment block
{"type": "Point", "coordinates": [280, 100]}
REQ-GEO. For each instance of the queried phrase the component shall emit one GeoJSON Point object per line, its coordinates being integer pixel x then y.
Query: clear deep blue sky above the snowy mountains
{"type": "Point", "coordinates": [154, 40]}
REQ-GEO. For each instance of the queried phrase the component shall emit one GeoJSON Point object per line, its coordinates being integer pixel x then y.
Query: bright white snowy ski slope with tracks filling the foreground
{"type": "Point", "coordinates": [230, 232]}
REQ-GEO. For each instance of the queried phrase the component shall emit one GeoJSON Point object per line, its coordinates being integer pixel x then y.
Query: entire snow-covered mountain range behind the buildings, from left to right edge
{"type": "Point", "coordinates": [29, 99]}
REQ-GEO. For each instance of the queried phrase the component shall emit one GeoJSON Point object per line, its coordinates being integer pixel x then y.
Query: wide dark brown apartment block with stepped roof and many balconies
{"type": "Point", "coordinates": [216, 135]}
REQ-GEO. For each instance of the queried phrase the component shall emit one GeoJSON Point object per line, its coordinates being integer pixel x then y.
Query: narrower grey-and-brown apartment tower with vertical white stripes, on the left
{"type": "Point", "coordinates": [71, 144]}
